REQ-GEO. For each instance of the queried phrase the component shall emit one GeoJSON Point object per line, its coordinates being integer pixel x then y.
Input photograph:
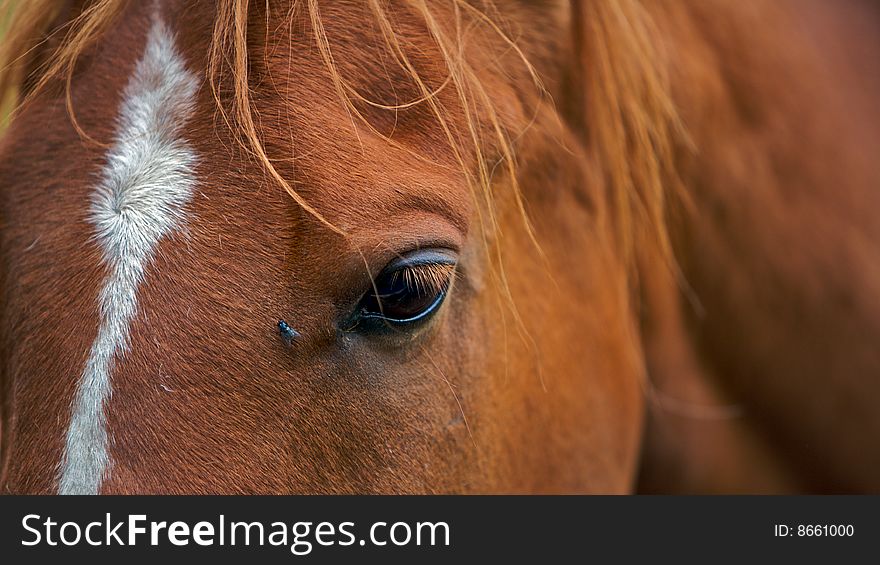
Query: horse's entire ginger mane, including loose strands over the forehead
{"type": "Point", "coordinates": [621, 87]}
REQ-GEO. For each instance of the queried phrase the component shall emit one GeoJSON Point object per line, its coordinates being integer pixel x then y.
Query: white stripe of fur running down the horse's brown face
{"type": "Point", "coordinates": [145, 185]}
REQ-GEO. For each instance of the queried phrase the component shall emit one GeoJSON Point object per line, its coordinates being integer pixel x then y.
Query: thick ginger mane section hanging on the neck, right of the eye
{"type": "Point", "coordinates": [631, 119]}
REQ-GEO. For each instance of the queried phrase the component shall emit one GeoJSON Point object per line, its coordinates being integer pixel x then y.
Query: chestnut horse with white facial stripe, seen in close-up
{"type": "Point", "coordinates": [299, 246]}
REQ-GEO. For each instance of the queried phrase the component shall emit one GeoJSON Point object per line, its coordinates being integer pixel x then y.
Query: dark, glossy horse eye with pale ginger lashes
{"type": "Point", "coordinates": [407, 291]}
